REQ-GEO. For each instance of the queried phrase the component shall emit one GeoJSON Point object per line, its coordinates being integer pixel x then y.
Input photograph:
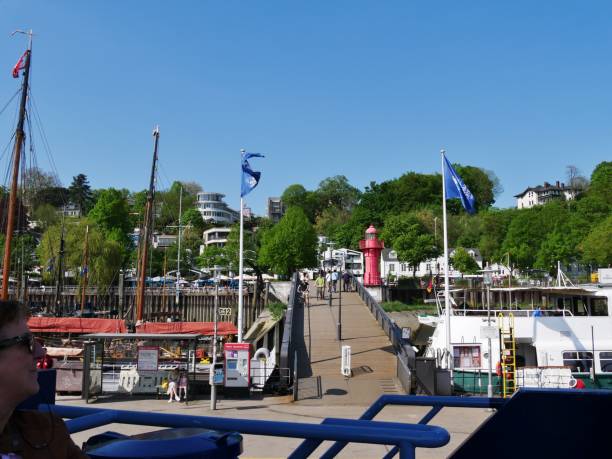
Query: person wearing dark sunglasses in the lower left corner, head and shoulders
{"type": "Point", "coordinates": [25, 434]}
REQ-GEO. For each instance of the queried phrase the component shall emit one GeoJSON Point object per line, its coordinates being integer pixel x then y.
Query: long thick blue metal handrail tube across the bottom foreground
{"type": "Point", "coordinates": [405, 437]}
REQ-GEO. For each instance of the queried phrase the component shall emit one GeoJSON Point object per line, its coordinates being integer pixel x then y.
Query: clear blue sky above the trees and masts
{"type": "Point", "coordinates": [368, 90]}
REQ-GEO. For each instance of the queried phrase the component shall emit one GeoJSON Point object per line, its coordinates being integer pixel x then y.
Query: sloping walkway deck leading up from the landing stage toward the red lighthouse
{"type": "Point", "coordinates": [373, 361]}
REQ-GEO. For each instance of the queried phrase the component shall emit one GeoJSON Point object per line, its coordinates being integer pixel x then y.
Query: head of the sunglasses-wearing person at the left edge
{"type": "Point", "coordinates": [19, 352]}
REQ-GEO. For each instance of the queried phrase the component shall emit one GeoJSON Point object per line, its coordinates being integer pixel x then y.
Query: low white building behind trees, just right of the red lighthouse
{"type": "Point", "coordinates": [391, 266]}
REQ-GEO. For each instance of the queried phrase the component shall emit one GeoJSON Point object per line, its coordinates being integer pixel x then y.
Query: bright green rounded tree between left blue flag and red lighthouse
{"type": "Point", "coordinates": [290, 245]}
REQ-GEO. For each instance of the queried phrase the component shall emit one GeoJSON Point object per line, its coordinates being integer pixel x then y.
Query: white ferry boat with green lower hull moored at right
{"type": "Point", "coordinates": [544, 337]}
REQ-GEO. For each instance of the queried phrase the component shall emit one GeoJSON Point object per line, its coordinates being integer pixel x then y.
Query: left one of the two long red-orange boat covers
{"type": "Point", "coordinates": [75, 325]}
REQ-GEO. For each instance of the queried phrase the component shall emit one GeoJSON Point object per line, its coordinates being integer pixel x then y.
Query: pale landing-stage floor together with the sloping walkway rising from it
{"type": "Point", "coordinates": [373, 374]}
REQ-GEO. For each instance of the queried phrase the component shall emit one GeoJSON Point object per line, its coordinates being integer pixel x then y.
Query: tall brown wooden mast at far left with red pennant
{"type": "Point", "coordinates": [19, 140]}
